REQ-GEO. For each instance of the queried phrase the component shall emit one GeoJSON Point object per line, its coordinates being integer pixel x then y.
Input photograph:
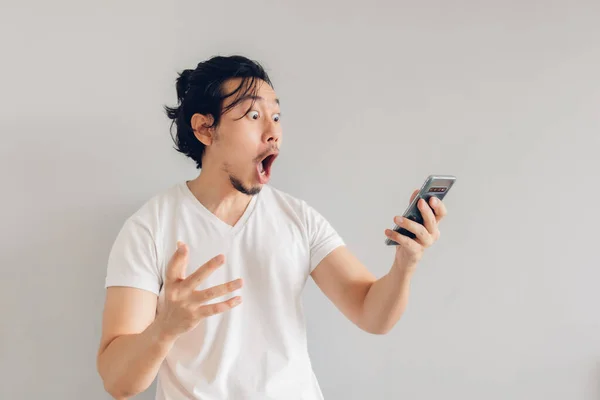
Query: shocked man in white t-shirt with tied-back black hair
{"type": "Point", "coordinates": [204, 281]}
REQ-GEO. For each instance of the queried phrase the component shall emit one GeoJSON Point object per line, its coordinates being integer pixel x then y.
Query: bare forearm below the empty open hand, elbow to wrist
{"type": "Point", "coordinates": [130, 363]}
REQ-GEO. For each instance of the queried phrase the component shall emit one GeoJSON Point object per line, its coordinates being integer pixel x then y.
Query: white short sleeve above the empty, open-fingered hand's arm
{"type": "Point", "coordinates": [133, 260]}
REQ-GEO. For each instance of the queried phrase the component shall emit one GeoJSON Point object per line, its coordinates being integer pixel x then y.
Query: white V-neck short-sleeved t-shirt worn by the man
{"type": "Point", "coordinates": [257, 350]}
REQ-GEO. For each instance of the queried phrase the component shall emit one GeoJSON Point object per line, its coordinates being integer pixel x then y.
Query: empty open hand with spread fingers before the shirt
{"type": "Point", "coordinates": [184, 306]}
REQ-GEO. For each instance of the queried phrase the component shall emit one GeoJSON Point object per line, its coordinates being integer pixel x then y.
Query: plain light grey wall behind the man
{"type": "Point", "coordinates": [375, 96]}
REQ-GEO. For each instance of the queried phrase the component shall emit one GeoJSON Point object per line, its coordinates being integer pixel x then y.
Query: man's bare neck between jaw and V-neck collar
{"type": "Point", "coordinates": [216, 193]}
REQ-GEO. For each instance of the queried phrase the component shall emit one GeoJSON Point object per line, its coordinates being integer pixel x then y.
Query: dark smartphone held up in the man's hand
{"type": "Point", "coordinates": [434, 186]}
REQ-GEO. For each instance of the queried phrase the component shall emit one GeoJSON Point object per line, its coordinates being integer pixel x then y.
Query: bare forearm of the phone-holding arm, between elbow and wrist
{"type": "Point", "coordinates": [386, 300]}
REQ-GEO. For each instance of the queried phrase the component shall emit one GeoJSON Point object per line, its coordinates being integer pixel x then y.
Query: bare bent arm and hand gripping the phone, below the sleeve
{"type": "Point", "coordinates": [376, 305]}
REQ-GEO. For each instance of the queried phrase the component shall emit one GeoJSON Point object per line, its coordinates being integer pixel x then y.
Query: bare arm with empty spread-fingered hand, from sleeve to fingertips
{"type": "Point", "coordinates": [136, 339]}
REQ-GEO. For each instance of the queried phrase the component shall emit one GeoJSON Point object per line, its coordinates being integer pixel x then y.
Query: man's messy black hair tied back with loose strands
{"type": "Point", "coordinates": [200, 91]}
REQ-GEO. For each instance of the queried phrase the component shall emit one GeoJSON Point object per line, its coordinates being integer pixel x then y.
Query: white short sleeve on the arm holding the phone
{"type": "Point", "coordinates": [323, 238]}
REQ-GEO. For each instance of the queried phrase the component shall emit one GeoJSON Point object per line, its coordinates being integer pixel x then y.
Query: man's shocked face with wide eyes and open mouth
{"type": "Point", "coordinates": [248, 138]}
